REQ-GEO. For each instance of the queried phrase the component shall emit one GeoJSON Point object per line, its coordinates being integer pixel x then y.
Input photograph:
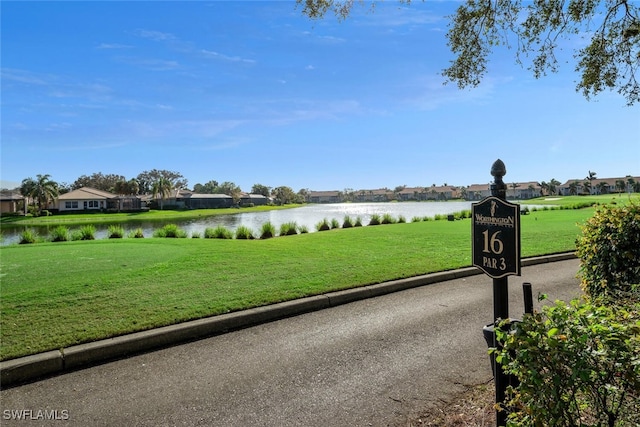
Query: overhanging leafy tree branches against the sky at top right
{"type": "Point", "coordinates": [608, 34]}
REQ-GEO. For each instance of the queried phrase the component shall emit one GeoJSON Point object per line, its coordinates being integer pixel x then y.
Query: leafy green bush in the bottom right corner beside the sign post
{"type": "Point", "coordinates": [578, 365]}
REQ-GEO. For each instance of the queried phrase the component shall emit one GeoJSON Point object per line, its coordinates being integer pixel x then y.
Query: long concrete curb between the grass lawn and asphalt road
{"type": "Point", "coordinates": [30, 368]}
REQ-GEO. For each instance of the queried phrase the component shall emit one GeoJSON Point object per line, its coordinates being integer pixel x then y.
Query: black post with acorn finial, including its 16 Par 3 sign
{"type": "Point", "coordinates": [496, 251]}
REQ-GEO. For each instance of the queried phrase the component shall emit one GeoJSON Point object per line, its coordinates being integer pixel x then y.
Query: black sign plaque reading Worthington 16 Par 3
{"type": "Point", "coordinates": [496, 237]}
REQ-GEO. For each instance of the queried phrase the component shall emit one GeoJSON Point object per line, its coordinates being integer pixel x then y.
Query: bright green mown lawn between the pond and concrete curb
{"type": "Point", "coordinates": [55, 295]}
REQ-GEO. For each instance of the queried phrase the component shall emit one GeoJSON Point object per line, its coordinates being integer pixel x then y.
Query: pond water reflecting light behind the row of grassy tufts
{"type": "Point", "coordinates": [307, 216]}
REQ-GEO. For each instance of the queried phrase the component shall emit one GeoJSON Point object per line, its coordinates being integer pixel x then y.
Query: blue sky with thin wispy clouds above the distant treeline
{"type": "Point", "coordinates": [256, 93]}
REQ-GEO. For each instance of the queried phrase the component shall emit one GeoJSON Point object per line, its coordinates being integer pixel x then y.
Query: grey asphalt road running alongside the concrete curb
{"type": "Point", "coordinates": [376, 362]}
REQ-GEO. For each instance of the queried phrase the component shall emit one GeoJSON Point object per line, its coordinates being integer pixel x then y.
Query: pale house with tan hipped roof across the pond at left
{"type": "Point", "coordinates": [91, 199]}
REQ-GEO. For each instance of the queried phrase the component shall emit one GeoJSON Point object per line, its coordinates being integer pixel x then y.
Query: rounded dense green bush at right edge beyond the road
{"type": "Point", "coordinates": [609, 250]}
